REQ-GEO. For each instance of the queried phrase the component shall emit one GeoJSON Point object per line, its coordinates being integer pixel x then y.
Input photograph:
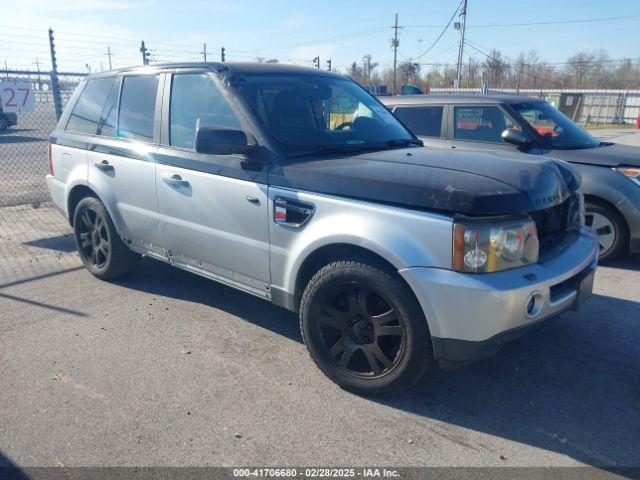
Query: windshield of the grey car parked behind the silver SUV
{"type": "Point", "coordinates": [555, 129]}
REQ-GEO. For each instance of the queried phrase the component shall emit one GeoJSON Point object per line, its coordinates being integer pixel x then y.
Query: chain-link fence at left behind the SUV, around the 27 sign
{"type": "Point", "coordinates": [34, 238]}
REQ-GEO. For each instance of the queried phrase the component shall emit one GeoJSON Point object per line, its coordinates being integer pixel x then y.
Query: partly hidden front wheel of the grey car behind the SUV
{"type": "Point", "coordinates": [610, 227]}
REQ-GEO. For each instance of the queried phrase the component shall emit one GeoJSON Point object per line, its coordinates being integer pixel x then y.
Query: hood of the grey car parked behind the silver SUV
{"type": "Point", "coordinates": [607, 155]}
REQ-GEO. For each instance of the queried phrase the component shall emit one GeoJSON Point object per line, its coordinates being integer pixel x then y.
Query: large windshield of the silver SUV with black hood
{"type": "Point", "coordinates": [314, 114]}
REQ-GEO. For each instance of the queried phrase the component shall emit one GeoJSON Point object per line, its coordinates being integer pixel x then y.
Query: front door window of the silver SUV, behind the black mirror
{"type": "Point", "coordinates": [196, 101]}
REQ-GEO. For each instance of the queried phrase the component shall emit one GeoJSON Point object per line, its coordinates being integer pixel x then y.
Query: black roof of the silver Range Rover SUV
{"type": "Point", "coordinates": [239, 67]}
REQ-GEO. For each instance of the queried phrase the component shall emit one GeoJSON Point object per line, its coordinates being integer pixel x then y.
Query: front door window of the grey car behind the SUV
{"type": "Point", "coordinates": [481, 123]}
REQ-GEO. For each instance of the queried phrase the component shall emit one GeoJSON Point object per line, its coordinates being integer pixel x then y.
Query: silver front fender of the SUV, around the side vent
{"type": "Point", "coordinates": [404, 238]}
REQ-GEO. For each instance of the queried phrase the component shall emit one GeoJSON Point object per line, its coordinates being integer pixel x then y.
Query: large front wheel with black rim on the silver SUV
{"type": "Point", "coordinates": [364, 328]}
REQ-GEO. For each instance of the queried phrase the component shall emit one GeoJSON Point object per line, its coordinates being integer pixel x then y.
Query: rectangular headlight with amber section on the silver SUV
{"type": "Point", "coordinates": [482, 246]}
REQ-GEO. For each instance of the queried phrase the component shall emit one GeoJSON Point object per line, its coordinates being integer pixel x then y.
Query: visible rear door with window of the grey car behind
{"type": "Point", "coordinates": [427, 122]}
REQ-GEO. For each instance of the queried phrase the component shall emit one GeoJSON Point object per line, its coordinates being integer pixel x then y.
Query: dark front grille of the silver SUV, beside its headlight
{"type": "Point", "coordinates": [557, 223]}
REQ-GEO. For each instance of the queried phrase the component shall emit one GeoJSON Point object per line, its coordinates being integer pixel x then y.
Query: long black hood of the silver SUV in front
{"type": "Point", "coordinates": [466, 182]}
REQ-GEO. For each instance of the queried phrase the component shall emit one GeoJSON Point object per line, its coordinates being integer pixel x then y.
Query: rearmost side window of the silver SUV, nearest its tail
{"type": "Point", "coordinates": [86, 113]}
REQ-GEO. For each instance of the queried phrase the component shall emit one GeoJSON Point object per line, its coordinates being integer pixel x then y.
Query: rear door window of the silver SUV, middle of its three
{"type": "Point", "coordinates": [137, 107]}
